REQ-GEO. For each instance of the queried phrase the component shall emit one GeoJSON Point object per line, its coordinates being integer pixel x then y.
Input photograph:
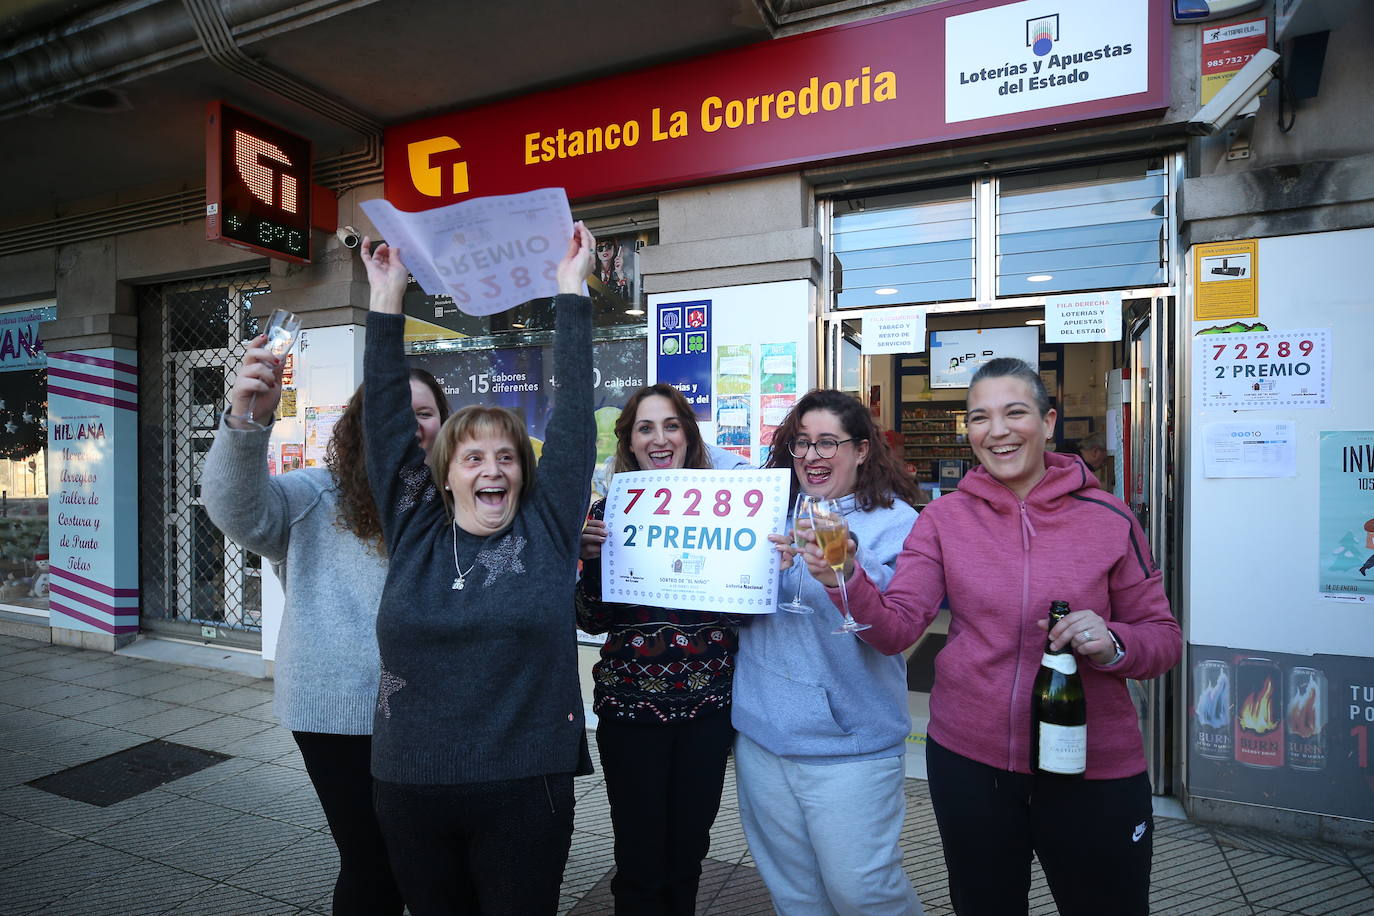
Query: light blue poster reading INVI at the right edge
{"type": "Point", "coordinates": [1347, 517]}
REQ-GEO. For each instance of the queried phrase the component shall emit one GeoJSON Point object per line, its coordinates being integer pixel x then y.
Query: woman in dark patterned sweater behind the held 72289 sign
{"type": "Point", "coordinates": [662, 691]}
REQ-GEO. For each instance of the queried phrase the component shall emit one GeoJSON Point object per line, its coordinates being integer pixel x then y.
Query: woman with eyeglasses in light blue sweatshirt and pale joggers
{"type": "Point", "coordinates": [822, 719]}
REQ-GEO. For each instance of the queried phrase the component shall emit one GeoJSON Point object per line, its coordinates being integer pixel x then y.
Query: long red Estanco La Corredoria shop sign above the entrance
{"type": "Point", "coordinates": [938, 75]}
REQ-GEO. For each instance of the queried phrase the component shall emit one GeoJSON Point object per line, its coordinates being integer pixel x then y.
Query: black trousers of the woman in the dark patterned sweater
{"type": "Point", "coordinates": [664, 785]}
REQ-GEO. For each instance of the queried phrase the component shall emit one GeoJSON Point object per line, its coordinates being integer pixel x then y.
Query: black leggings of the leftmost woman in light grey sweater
{"type": "Point", "coordinates": [340, 768]}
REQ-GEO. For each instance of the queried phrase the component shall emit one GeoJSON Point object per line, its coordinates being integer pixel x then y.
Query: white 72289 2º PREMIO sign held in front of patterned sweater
{"type": "Point", "coordinates": [695, 540]}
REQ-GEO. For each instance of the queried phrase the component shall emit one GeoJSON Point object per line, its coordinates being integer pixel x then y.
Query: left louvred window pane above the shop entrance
{"type": "Point", "coordinates": [913, 247]}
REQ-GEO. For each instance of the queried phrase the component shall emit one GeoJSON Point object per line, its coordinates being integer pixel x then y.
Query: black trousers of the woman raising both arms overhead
{"type": "Point", "coordinates": [495, 849]}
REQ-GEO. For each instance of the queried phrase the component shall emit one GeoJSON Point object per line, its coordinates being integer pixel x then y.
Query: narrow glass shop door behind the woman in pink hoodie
{"type": "Point", "coordinates": [1149, 490]}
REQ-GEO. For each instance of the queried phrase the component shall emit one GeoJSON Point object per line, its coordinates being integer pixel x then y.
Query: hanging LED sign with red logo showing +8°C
{"type": "Point", "coordinates": [258, 185]}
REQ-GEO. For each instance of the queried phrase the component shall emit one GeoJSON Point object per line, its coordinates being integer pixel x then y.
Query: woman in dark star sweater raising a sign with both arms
{"type": "Point", "coordinates": [479, 727]}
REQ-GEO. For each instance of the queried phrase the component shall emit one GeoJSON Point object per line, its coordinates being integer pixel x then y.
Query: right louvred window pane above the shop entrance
{"type": "Point", "coordinates": [1085, 229]}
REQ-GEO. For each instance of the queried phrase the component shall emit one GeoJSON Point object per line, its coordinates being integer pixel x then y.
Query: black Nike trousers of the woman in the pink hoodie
{"type": "Point", "coordinates": [1093, 837]}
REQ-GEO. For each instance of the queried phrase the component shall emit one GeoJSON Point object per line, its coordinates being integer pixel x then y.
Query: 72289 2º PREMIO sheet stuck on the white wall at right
{"type": "Point", "coordinates": [1265, 370]}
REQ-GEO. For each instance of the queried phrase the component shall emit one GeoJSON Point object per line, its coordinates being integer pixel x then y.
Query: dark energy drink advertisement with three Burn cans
{"type": "Point", "coordinates": [1283, 731]}
